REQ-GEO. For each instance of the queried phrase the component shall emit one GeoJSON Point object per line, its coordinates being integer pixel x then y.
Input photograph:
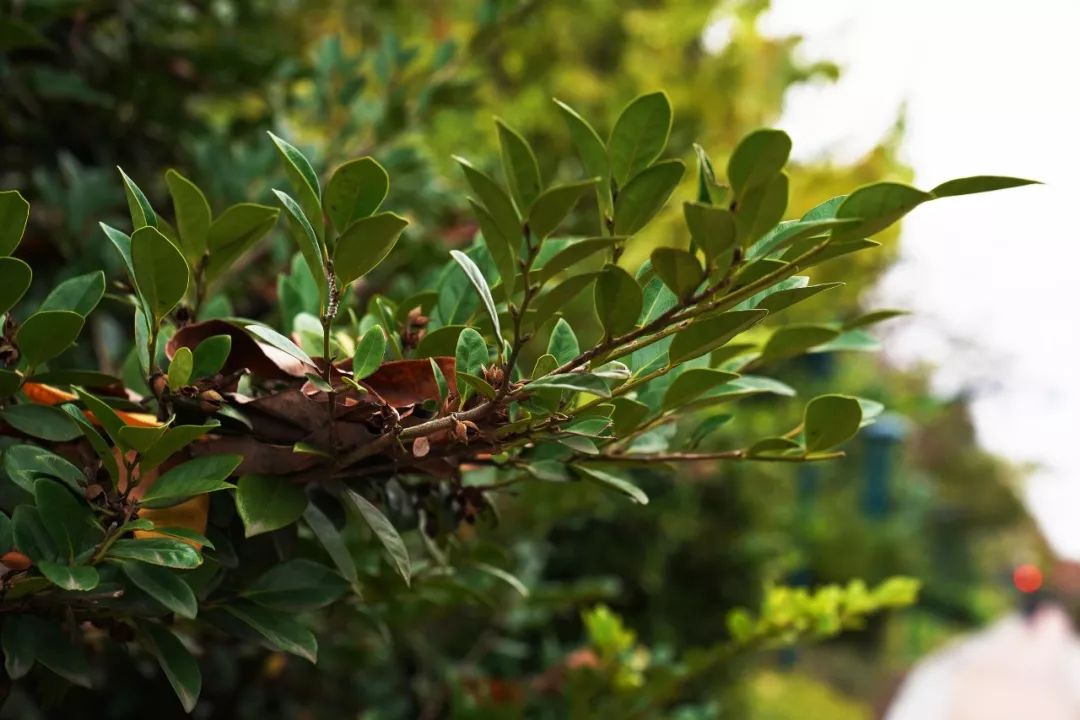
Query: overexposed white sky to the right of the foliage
{"type": "Point", "coordinates": [991, 88]}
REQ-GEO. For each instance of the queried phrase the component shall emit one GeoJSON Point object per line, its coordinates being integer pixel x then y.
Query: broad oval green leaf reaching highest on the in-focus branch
{"type": "Point", "coordinates": [640, 135]}
